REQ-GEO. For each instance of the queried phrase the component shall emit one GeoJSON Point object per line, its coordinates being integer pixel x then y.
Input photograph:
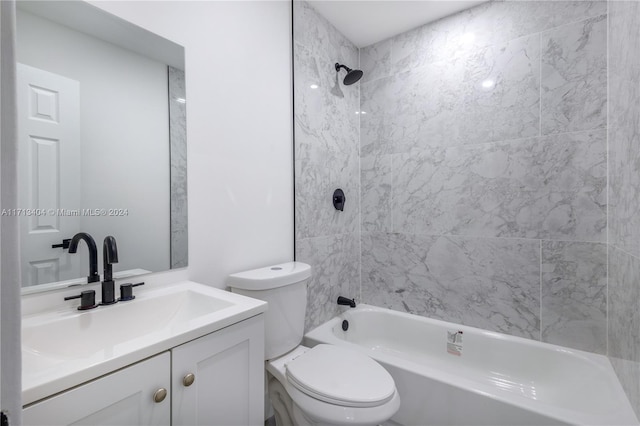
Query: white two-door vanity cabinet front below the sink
{"type": "Point", "coordinates": [227, 367]}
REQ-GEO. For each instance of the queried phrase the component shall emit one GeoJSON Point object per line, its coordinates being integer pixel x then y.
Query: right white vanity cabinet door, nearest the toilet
{"type": "Point", "coordinates": [218, 379]}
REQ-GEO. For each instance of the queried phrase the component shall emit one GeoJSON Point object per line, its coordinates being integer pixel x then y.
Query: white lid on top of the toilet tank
{"type": "Point", "coordinates": [270, 277]}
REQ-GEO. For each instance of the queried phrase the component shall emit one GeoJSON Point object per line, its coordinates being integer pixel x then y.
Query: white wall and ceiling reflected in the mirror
{"type": "Point", "coordinates": [124, 136]}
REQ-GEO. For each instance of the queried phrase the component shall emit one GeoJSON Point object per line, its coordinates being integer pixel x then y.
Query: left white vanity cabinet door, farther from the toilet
{"type": "Point", "coordinates": [125, 397]}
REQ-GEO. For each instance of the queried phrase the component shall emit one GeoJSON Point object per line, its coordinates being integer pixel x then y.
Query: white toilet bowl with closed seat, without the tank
{"type": "Point", "coordinates": [330, 385]}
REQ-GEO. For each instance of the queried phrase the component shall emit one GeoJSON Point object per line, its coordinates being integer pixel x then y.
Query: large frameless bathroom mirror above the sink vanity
{"type": "Point", "coordinates": [102, 143]}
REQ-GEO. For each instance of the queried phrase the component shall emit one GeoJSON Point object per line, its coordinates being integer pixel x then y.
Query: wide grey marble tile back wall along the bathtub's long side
{"type": "Point", "coordinates": [484, 170]}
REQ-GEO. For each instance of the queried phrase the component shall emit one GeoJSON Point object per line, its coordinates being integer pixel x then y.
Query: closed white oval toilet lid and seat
{"type": "Point", "coordinates": [340, 376]}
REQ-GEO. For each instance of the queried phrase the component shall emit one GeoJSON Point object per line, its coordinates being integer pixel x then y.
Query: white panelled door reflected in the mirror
{"type": "Point", "coordinates": [49, 170]}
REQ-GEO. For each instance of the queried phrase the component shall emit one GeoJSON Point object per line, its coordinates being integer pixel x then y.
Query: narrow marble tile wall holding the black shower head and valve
{"type": "Point", "coordinates": [327, 151]}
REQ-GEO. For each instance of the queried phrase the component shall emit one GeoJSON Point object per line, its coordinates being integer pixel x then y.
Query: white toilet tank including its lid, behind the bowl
{"type": "Point", "coordinates": [284, 288]}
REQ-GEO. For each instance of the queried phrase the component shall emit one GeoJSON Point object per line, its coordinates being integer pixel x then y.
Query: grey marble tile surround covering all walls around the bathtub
{"type": "Point", "coordinates": [481, 172]}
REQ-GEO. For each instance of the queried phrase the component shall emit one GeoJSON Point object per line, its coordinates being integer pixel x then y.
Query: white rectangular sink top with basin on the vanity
{"type": "Point", "coordinates": [65, 347]}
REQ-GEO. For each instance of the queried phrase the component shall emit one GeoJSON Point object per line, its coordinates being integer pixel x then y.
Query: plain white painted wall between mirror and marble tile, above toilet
{"type": "Point", "coordinates": [239, 121]}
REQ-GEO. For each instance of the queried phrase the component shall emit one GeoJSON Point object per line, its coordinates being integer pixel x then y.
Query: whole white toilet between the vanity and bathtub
{"type": "Point", "coordinates": [320, 385]}
